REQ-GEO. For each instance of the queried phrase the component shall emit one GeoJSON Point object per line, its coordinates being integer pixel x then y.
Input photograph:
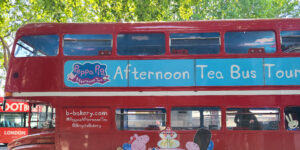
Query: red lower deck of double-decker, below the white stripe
{"type": "Point", "coordinates": [164, 122]}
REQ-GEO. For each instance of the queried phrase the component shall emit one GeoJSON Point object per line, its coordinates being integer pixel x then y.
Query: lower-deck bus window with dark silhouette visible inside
{"type": "Point", "coordinates": [252, 119]}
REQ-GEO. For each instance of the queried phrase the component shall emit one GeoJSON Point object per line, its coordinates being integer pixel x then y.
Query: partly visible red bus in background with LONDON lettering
{"type": "Point", "coordinates": [13, 121]}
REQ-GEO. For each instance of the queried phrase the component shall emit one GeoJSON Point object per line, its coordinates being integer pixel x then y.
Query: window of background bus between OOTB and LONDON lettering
{"type": "Point", "coordinates": [13, 120]}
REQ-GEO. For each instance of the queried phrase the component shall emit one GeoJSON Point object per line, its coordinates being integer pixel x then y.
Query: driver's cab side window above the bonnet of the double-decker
{"type": "Point", "coordinates": [42, 116]}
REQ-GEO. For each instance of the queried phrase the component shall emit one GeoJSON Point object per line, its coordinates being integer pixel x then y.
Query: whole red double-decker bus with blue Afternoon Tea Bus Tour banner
{"type": "Point", "coordinates": [227, 84]}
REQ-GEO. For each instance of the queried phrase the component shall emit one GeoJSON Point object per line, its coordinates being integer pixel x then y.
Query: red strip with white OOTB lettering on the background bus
{"type": "Point", "coordinates": [15, 106]}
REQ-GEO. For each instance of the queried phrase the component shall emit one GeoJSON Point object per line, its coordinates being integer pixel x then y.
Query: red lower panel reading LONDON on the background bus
{"type": "Point", "coordinates": [9, 134]}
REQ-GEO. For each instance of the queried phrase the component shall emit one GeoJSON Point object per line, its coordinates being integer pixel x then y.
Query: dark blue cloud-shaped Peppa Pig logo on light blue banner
{"type": "Point", "coordinates": [89, 74]}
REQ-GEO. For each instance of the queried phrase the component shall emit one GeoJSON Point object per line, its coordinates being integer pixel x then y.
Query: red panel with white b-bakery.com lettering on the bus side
{"type": "Point", "coordinates": [86, 118]}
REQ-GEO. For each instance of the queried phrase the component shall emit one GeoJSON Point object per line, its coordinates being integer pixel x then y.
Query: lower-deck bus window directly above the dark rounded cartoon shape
{"type": "Point", "coordinates": [193, 118]}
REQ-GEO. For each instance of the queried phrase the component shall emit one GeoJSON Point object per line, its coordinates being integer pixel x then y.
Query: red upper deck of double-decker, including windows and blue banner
{"type": "Point", "coordinates": [143, 56]}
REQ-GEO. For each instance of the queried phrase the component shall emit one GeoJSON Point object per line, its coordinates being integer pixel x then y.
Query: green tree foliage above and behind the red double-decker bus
{"type": "Point", "coordinates": [14, 13]}
